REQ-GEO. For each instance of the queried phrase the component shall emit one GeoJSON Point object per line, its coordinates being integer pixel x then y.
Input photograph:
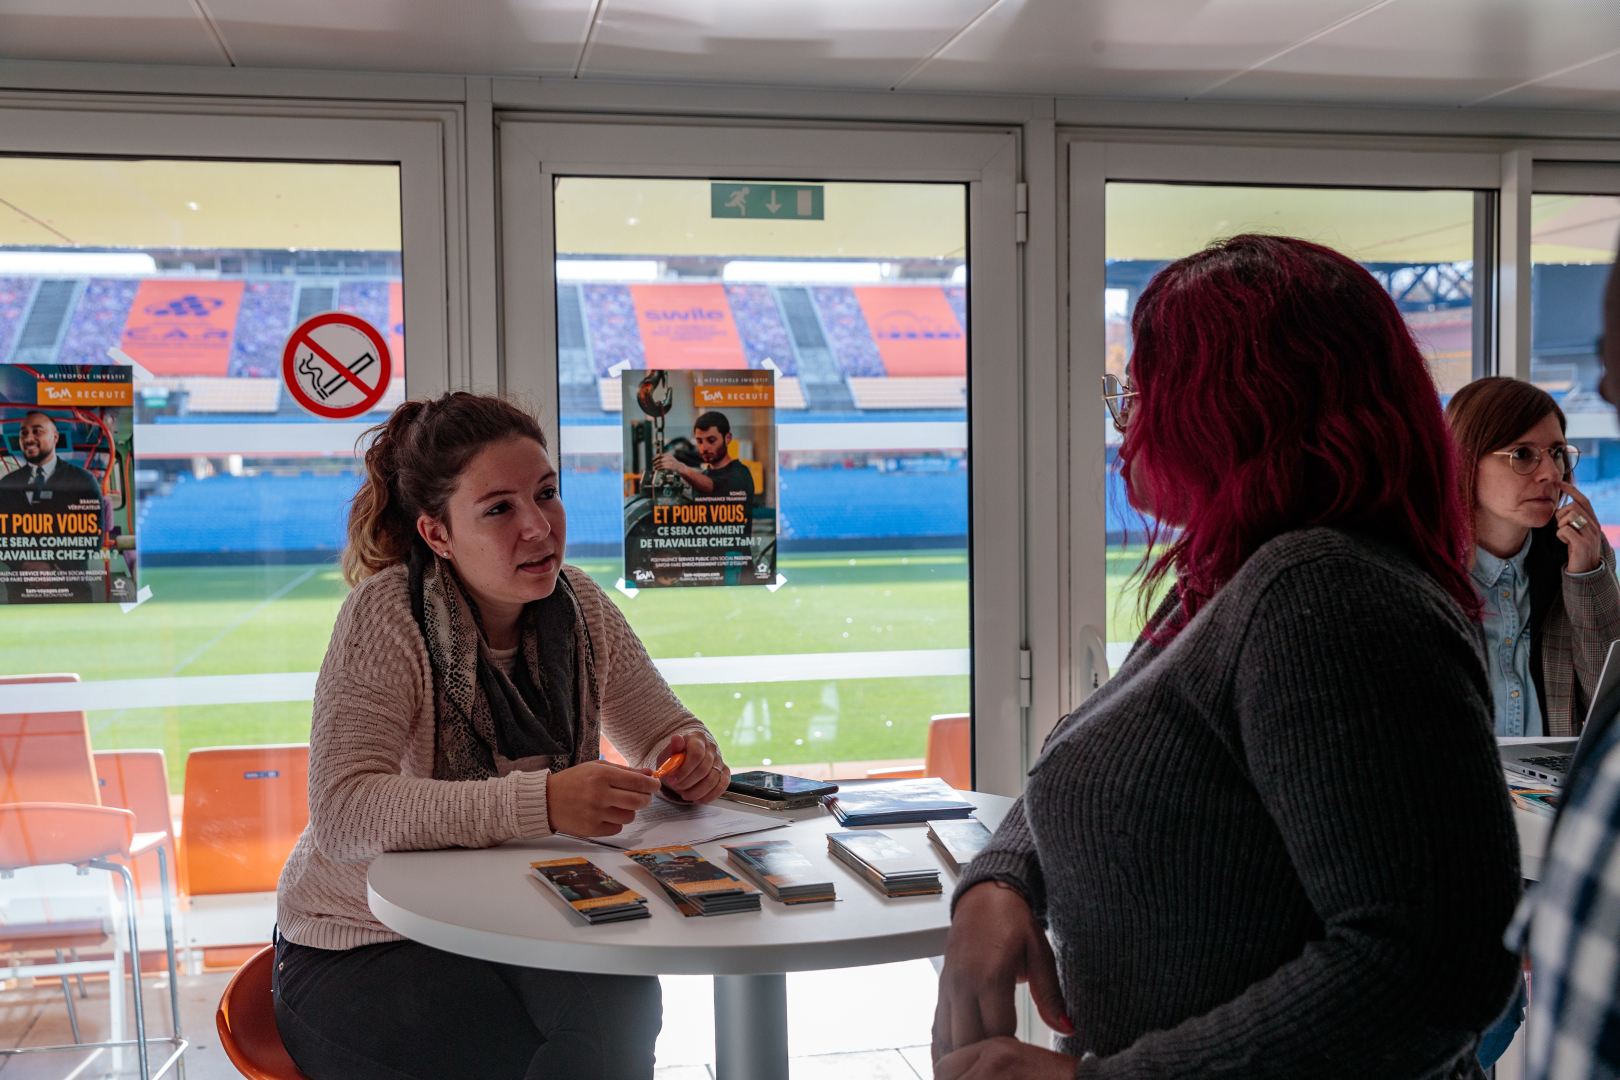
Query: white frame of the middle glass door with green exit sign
{"type": "Point", "coordinates": [537, 150]}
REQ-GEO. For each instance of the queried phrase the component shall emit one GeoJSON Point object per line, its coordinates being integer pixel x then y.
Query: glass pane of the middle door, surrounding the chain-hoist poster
{"type": "Point", "coordinates": [858, 302]}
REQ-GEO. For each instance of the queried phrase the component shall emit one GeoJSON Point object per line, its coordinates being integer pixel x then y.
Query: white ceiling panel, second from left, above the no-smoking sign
{"type": "Point", "coordinates": [467, 36]}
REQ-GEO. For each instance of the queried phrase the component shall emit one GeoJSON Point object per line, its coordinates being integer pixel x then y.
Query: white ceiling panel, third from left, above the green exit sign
{"type": "Point", "coordinates": [817, 43]}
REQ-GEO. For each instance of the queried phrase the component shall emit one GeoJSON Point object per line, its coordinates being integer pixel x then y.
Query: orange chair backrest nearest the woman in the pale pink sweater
{"type": "Point", "coordinates": [245, 809]}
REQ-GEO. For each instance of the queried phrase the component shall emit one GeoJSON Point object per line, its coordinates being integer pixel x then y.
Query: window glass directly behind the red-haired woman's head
{"type": "Point", "coordinates": [1418, 244]}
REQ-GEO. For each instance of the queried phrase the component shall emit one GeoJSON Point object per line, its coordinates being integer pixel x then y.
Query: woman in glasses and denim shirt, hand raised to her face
{"type": "Point", "coordinates": [1545, 574]}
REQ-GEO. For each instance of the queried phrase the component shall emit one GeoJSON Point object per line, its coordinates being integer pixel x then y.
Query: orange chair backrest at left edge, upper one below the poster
{"type": "Point", "coordinates": [46, 757]}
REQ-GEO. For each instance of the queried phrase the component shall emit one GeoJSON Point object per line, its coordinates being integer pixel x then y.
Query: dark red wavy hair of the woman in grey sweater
{"type": "Point", "coordinates": [1281, 389]}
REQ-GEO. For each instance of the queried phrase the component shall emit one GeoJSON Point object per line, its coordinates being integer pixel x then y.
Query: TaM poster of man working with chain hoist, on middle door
{"type": "Point", "coordinates": [699, 478]}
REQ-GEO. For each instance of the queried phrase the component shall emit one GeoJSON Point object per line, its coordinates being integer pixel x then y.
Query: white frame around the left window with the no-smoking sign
{"type": "Point", "coordinates": [425, 143]}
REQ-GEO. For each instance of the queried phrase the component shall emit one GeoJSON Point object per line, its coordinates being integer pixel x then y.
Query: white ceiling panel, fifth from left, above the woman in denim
{"type": "Point", "coordinates": [1436, 53]}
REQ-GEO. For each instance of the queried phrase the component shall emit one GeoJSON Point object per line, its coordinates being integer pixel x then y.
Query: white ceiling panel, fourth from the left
{"type": "Point", "coordinates": [1135, 49]}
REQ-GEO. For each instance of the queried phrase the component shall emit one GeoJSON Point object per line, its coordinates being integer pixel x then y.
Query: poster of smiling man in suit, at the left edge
{"type": "Point", "coordinates": [67, 516]}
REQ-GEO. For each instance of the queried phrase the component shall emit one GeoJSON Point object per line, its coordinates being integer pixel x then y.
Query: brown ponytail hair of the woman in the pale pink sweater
{"type": "Point", "coordinates": [414, 466]}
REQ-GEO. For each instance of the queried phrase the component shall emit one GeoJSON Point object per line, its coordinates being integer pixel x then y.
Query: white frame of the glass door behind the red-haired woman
{"type": "Point", "coordinates": [1096, 159]}
